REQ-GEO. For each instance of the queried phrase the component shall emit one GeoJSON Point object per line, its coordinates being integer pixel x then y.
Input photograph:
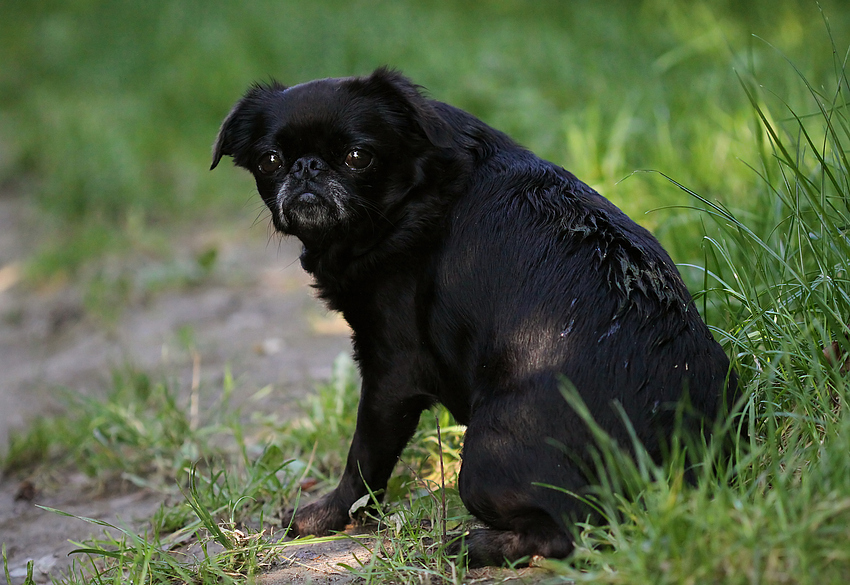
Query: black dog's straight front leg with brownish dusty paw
{"type": "Point", "coordinates": [385, 423]}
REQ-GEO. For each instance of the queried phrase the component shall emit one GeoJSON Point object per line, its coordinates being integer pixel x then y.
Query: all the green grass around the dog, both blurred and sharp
{"type": "Point", "coordinates": [107, 111]}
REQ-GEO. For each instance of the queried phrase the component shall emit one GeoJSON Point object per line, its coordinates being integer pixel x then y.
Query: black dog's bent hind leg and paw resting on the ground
{"type": "Point", "coordinates": [507, 465]}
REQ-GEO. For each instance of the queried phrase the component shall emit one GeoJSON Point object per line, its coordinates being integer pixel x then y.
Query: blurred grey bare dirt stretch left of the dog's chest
{"type": "Point", "coordinates": [256, 315]}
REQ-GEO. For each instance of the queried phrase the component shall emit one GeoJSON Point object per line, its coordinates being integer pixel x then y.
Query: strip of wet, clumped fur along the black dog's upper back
{"type": "Point", "coordinates": [534, 195]}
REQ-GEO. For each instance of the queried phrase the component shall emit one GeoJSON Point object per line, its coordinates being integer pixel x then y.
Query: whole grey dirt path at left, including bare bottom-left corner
{"type": "Point", "coordinates": [255, 314]}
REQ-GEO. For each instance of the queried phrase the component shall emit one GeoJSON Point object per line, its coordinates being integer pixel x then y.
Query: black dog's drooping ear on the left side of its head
{"type": "Point", "coordinates": [237, 131]}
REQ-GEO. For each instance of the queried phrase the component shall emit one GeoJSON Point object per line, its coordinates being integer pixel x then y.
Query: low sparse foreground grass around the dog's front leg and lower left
{"type": "Point", "coordinates": [141, 431]}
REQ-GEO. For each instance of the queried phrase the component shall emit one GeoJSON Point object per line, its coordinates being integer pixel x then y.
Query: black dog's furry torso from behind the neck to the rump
{"type": "Point", "coordinates": [540, 277]}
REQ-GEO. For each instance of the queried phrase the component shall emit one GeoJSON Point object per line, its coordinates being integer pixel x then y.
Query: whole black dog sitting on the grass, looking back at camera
{"type": "Point", "coordinates": [477, 275]}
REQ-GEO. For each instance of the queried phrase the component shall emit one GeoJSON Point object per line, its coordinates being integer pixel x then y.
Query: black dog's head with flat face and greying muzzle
{"type": "Point", "coordinates": [334, 156]}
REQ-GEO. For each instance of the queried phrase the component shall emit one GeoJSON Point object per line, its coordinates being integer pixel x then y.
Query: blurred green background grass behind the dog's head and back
{"type": "Point", "coordinates": [108, 109]}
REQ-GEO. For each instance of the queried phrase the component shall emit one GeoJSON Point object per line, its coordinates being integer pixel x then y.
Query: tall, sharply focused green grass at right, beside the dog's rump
{"type": "Point", "coordinates": [780, 512]}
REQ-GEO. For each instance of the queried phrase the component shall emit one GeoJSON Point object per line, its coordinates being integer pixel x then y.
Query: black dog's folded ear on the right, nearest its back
{"type": "Point", "coordinates": [416, 105]}
